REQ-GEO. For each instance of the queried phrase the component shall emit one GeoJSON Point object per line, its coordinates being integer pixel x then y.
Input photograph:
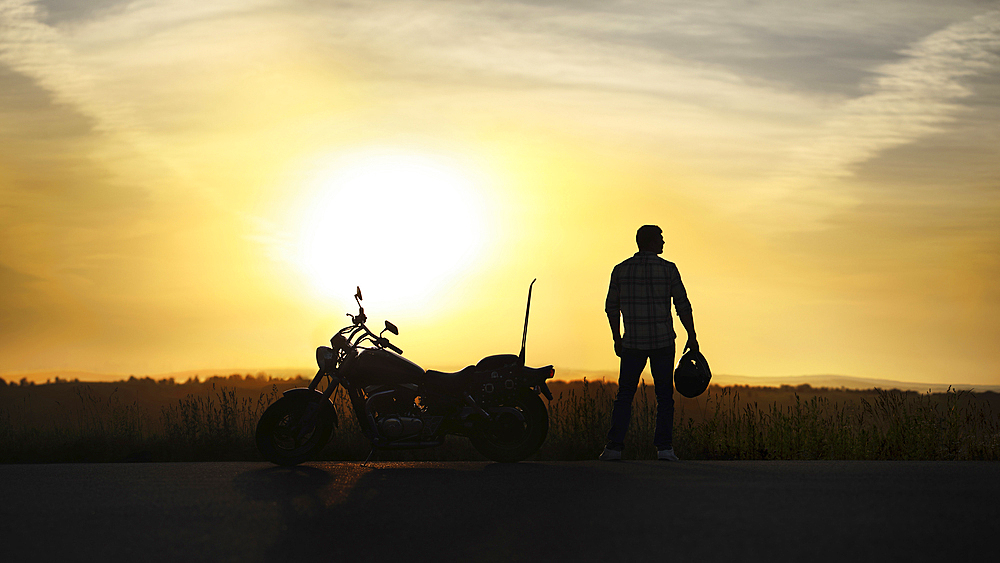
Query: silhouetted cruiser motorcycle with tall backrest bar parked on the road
{"type": "Point", "coordinates": [399, 405]}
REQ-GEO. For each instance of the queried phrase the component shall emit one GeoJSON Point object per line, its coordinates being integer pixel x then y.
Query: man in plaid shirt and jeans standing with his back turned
{"type": "Point", "coordinates": [640, 292]}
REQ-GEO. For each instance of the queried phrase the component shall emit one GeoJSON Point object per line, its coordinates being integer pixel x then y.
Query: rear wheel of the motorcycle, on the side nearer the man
{"type": "Point", "coordinates": [507, 439]}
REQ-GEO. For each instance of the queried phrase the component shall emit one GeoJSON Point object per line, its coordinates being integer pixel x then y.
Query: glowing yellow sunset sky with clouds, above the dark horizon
{"type": "Point", "coordinates": [202, 184]}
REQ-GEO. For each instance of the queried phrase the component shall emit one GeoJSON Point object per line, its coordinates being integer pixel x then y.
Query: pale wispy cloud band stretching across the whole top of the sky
{"type": "Point", "coordinates": [695, 73]}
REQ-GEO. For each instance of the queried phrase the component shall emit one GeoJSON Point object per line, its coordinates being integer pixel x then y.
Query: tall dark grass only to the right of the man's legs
{"type": "Point", "coordinates": [892, 426]}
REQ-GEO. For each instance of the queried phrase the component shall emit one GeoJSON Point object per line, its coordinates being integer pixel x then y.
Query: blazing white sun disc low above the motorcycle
{"type": "Point", "coordinates": [403, 227]}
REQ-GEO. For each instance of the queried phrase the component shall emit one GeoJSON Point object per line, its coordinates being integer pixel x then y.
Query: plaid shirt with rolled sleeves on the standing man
{"type": "Point", "coordinates": [641, 288]}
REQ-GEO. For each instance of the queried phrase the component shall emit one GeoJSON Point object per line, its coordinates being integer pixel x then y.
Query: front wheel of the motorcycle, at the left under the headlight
{"type": "Point", "coordinates": [282, 439]}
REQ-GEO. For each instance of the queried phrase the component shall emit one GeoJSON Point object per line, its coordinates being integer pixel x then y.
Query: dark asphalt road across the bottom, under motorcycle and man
{"type": "Point", "coordinates": [429, 511]}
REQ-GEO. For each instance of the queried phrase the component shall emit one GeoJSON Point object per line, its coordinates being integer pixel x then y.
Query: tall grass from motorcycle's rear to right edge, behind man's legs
{"type": "Point", "coordinates": [894, 425]}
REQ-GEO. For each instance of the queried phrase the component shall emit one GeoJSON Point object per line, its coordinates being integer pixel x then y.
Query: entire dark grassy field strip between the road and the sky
{"type": "Point", "coordinates": [148, 420]}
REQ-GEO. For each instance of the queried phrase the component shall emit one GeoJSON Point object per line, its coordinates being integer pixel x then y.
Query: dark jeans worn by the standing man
{"type": "Point", "coordinates": [661, 363]}
